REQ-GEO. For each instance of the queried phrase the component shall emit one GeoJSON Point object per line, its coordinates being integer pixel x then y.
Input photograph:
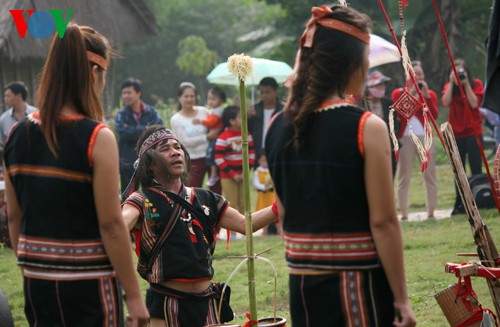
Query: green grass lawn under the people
{"type": "Point", "coordinates": [428, 246]}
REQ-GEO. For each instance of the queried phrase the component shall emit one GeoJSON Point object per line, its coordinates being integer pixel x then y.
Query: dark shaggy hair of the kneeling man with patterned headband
{"type": "Point", "coordinates": [144, 174]}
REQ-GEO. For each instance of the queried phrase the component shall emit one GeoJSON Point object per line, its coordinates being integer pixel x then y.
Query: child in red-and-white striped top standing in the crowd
{"type": "Point", "coordinates": [229, 157]}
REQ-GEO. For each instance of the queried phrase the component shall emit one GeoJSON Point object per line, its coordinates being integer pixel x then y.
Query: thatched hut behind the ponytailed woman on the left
{"type": "Point", "coordinates": [122, 21]}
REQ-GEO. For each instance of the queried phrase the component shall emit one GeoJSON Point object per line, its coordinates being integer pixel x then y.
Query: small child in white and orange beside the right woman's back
{"type": "Point", "coordinates": [264, 185]}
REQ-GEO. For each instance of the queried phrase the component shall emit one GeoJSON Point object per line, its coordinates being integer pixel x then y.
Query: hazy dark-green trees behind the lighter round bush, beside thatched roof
{"type": "Point", "coordinates": [219, 23]}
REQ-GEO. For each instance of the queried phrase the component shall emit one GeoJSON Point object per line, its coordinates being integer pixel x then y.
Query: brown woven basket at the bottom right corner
{"type": "Point", "coordinates": [453, 308]}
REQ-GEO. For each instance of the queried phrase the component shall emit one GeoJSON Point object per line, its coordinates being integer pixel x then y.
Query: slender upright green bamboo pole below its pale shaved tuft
{"type": "Point", "coordinates": [248, 214]}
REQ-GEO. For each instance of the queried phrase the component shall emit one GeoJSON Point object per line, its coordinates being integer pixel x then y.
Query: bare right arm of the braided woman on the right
{"type": "Point", "coordinates": [383, 217]}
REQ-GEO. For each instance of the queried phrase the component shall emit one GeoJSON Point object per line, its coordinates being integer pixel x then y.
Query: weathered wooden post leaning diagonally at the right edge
{"type": "Point", "coordinates": [486, 248]}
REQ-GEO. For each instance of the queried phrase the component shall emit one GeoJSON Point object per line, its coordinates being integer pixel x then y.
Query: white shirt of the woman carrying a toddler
{"type": "Point", "coordinates": [193, 137]}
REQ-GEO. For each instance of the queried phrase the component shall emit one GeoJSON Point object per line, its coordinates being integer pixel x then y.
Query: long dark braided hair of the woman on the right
{"type": "Point", "coordinates": [325, 68]}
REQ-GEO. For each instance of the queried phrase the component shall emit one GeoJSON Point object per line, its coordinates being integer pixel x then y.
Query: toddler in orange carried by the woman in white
{"type": "Point", "coordinates": [215, 101]}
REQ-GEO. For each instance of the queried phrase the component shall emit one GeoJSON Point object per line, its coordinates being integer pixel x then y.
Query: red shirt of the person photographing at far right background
{"type": "Point", "coordinates": [458, 116]}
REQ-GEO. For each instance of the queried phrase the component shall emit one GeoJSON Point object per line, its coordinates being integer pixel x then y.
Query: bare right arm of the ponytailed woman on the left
{"type": "Point", "coordinates": [113, 231]}
